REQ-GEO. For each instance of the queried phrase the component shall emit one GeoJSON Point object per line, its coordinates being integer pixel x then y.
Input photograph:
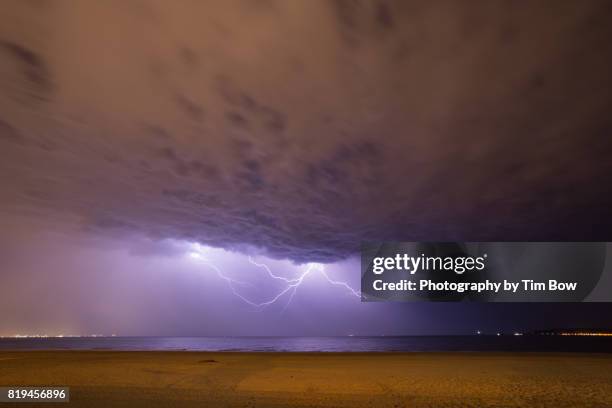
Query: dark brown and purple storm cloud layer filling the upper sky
{"type": "Point", "coordinates": [303, 128]}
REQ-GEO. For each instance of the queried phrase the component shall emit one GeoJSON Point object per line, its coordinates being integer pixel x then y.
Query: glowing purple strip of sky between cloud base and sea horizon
{"type": "Point", "coordinates": [64, 281]}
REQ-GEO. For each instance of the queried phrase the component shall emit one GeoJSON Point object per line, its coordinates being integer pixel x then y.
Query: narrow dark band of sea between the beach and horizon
{"type": "Point", "coordinates": [320, 344]}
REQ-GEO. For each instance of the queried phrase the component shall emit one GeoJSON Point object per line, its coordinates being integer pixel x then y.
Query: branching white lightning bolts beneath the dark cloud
{"type": "Point", "coordinates": [291, 284]}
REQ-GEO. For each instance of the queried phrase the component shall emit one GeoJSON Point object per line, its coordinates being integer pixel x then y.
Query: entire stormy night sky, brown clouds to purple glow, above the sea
{"type": "Point", "coordinates": [154, 155]}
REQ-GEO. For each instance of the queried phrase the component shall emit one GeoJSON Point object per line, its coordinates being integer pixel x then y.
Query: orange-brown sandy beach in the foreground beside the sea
{"type": "Point", "coordinates": [196, 379]}
